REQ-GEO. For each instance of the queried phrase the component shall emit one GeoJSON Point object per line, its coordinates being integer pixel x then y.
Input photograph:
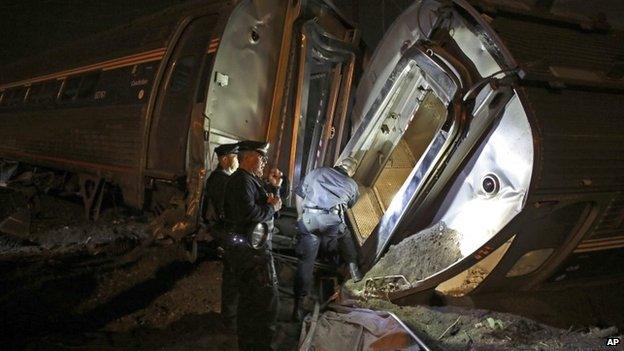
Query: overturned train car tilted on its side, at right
{"type": "Point", "coordinates": [502, 133]}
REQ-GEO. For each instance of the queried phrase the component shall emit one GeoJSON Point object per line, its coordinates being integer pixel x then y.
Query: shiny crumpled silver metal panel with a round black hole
{"type": "Point", "coordinates": [506, 155]}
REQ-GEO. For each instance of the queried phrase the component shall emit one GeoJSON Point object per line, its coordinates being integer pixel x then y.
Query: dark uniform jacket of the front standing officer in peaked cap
{"type": "Point", "coordinates": [245, 202]}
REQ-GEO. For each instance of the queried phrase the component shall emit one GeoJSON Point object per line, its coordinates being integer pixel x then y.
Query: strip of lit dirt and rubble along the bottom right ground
{"type": "Point", "coordinates": [453, 328]}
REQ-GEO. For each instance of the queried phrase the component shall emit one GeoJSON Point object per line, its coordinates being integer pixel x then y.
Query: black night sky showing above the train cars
{"type": "Point", "coordinates": [29, 27]}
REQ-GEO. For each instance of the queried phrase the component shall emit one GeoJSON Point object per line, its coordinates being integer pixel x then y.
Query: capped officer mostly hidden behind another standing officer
{"type": "Point", "coordinates": [215, 185]}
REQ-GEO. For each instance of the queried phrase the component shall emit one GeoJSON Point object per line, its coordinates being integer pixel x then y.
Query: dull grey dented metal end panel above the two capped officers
{"type": "Point", "coordinates": [239, 105]}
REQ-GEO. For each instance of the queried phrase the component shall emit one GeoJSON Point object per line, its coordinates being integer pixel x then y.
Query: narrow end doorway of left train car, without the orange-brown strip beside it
{"type": "Point", "coordinates": [326, 51]}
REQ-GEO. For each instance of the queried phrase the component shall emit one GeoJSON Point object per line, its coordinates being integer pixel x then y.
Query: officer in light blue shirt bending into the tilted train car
{"type": "Point", "coordinates": [322, 199]}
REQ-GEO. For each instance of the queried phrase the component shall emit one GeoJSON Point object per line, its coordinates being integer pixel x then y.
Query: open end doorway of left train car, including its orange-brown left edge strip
{"type": "Point", "coordinates": [309, 124]}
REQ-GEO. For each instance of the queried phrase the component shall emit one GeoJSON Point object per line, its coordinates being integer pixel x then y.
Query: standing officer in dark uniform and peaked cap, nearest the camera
{"type": "Point", "coordinates": [248, 263]}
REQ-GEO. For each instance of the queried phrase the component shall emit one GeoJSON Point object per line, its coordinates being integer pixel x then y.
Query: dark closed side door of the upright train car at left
{"type": "Point", "coordinates": [168, 134]}
